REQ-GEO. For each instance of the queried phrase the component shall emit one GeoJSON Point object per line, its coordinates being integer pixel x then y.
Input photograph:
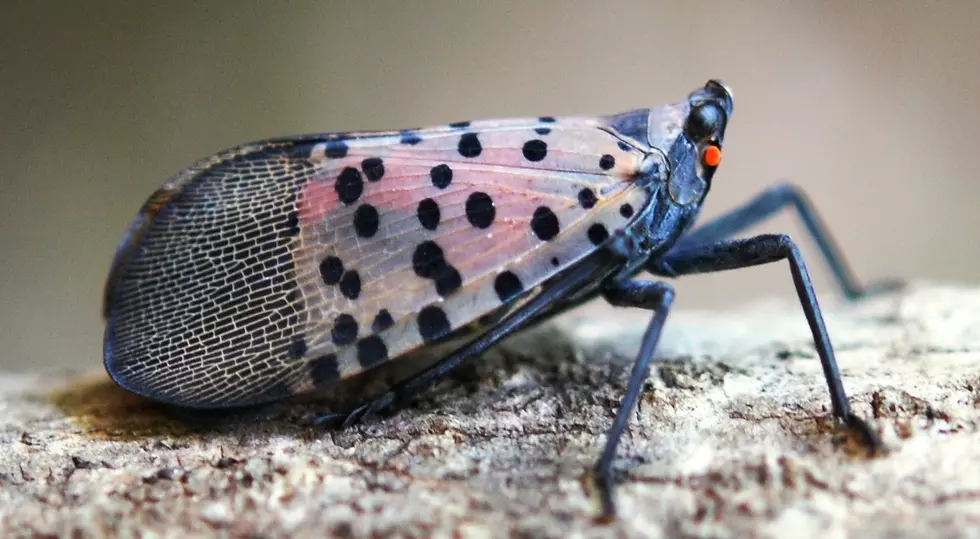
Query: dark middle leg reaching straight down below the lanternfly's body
{"type": "Point", "coordinates": [655, 296]}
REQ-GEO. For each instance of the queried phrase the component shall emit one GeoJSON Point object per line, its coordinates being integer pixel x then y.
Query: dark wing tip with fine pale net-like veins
{"type": "Point", "coordinates": [204, 302]}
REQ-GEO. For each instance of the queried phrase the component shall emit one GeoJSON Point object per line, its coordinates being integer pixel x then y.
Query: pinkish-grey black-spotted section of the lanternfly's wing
{"type": "Point", "coordinates": [458, 224]}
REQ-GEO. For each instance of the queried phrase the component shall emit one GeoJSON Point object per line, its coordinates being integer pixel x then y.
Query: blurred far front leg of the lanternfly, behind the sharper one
{"type": "Point", "coordinates": [762, 207]}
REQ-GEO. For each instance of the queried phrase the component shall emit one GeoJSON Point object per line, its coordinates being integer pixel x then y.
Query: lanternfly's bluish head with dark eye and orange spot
{"type": "Point", "coordinates": [690, 134]}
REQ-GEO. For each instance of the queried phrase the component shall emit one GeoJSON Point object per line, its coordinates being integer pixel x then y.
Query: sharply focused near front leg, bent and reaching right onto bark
{"type": "Point", "coordinates": [763, 249]}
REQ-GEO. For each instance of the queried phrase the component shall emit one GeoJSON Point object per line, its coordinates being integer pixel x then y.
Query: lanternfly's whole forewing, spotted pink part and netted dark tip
{"type": "Point", "coordinates": [281, 267]}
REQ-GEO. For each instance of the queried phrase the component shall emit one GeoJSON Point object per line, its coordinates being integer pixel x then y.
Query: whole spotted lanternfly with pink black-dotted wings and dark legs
{"type": "Point", "coordinates": [284, 266]}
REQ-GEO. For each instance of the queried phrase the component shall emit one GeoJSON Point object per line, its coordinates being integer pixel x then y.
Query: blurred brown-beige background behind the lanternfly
{"type": "Point", "coordinates": [872, 107]}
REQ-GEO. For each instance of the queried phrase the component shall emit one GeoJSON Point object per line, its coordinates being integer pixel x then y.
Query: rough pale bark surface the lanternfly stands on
{"type": "Point", "coordinates": [732, 438]}
